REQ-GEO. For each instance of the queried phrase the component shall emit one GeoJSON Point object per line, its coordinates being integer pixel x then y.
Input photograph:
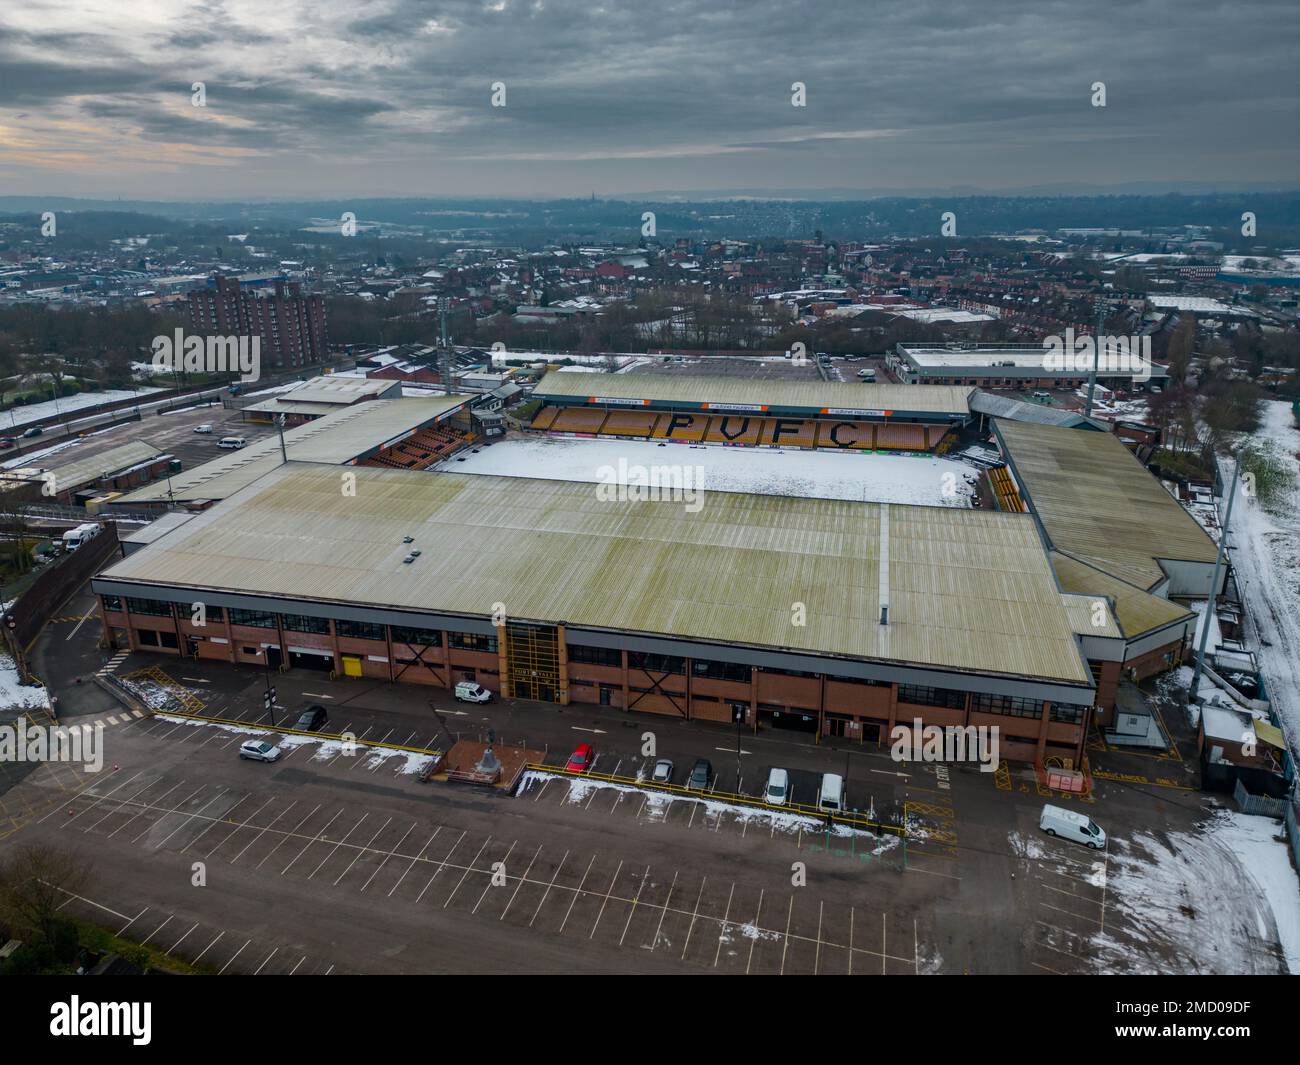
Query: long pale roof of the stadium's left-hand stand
{"type": "Point", "coordinates": [337, 439]}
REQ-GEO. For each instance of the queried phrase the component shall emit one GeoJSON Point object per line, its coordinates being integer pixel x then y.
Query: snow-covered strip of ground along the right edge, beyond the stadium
{"type": "Point", "coordinates": [1267, 559]}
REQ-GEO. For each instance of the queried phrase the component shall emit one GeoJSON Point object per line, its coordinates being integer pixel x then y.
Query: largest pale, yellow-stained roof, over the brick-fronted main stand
{"type": "Point", "coordinates": [967, 590]}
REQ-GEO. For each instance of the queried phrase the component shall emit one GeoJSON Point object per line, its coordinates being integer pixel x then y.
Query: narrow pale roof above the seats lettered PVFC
{"type": "Point", "coordinates": [813, 396]}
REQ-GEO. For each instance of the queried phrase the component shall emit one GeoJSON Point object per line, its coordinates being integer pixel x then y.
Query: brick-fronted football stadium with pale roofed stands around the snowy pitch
{"type": "Point", "coordinates": [825, 616]}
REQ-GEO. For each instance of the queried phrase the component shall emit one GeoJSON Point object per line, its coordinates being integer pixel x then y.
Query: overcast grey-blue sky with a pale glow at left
{"type": "Point", "coordinates": [339, 98]}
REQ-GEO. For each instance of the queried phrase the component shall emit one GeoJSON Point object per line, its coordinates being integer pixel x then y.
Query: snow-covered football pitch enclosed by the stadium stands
{"type": "Point", "coordinates": [826, 475]}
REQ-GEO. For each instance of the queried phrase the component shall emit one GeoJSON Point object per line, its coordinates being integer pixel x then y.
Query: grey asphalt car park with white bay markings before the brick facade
{"type": "Point", "coordinates": [597, 873]}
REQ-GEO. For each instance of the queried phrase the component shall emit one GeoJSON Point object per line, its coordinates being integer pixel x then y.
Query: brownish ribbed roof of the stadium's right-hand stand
{"type": "Point", "coordinates": [1098, 504]}
